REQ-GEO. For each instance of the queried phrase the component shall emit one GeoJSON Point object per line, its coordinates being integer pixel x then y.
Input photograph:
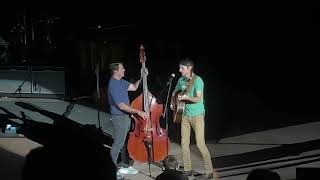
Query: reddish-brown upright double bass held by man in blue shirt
{"type": "Point", "coordinates": [148, 142]}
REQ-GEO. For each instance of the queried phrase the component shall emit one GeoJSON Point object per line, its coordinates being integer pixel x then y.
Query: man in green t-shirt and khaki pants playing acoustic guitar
{"type": "Point", "coordinates": [191, 86]}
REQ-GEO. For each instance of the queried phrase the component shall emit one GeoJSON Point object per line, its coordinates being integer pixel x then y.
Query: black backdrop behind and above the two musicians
{"type": "Point", "coordinates": [259, 66]}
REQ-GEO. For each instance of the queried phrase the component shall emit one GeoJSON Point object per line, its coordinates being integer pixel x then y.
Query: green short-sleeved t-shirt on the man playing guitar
{"type": "Point", "coordinates": [192, 109]}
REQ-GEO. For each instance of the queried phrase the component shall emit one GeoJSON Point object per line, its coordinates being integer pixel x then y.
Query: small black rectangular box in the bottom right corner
{"type": "Point", "coordinates": [307, 173]}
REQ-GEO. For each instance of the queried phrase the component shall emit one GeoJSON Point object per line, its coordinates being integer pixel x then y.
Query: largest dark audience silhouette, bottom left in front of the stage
{"type": "Point", "coordinates": [74, 155]}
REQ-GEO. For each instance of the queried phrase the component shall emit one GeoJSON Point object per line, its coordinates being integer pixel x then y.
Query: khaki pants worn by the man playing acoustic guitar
{"type": "Point", "coordinates": [197, 124]}
